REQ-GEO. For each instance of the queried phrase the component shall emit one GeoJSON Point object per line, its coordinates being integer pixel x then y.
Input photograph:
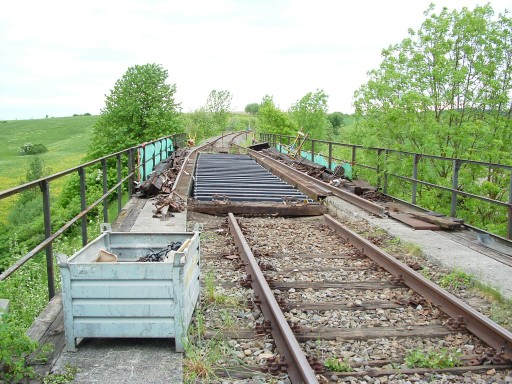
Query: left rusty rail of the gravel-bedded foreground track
{"type": "Point", "coordinates": [298, 367]}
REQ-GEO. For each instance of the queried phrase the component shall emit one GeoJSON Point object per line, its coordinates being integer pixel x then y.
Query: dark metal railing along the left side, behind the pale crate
{"type": "Point", "coordinates": [162, 149]}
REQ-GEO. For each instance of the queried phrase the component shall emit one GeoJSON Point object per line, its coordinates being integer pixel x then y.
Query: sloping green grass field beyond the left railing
{"type": "Point", "coordinates": [66, 138]}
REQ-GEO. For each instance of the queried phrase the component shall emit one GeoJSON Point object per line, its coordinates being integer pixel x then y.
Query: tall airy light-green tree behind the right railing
{"type": "Point", "coordinates": [446, 90]}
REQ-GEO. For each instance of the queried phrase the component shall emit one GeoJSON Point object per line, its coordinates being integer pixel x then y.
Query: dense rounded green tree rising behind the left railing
{"type": "Point", "coordinates": [140, 108]}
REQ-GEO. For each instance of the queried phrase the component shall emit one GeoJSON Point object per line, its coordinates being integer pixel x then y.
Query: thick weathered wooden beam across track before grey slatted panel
{"type": "Point", "coordinates": [257, 209]}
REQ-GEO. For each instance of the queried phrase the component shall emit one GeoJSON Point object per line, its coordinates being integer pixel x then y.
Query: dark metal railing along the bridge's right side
{"type": "Point", "coordinates": [381, 168]}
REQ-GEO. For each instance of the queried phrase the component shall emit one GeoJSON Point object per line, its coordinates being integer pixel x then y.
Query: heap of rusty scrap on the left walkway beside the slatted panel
{"type": "Point", "coordinates": [160, 182]}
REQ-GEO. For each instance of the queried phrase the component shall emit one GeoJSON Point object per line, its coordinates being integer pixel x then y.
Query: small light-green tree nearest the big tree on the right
{"type": "Point", "coordinates": [310, 114]}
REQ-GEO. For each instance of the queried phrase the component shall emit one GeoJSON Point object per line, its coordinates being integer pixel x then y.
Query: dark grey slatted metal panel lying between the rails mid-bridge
{"type": "Point", "coordinates": [239, 178]}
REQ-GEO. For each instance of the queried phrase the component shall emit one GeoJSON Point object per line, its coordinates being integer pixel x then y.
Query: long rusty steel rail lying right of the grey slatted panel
{"type": "Point", "coordinates": [297, 175]}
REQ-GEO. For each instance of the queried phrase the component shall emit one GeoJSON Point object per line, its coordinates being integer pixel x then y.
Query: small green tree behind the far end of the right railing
{"type": "Point", "coordinates": [272, 120]}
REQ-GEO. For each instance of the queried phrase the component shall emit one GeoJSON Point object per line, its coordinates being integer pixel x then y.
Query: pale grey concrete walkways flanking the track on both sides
{"type": "Point", "coordinates": [155, 360]}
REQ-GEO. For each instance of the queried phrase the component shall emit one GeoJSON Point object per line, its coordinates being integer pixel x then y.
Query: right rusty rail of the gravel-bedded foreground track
{"type": "Point", "coordinates": [481, 326]}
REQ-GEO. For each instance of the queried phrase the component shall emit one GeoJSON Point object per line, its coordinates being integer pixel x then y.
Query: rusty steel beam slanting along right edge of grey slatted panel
{"type": "Point", "coordinates": [309, 183]}
